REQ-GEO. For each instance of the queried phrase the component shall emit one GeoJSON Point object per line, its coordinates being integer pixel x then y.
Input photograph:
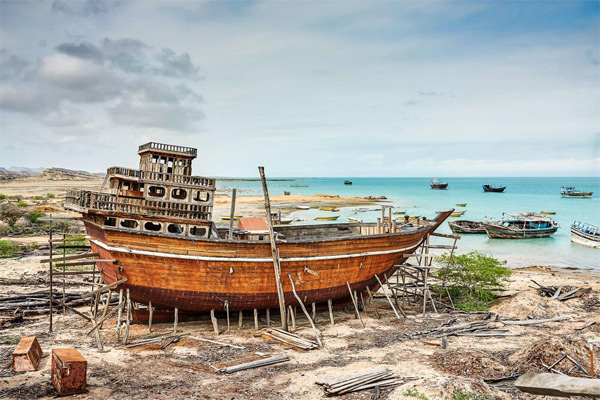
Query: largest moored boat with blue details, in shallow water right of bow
{"type": "Point", "coordinates": [521, 226]}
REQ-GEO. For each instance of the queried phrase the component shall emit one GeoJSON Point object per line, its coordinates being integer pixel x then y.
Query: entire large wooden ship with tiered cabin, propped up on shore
{"type": "Point", "coordinates": [153, 231]}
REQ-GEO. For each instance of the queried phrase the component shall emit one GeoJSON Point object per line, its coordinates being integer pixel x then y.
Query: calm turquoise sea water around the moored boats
{"type": "Point", "coordinates": [521, 195]}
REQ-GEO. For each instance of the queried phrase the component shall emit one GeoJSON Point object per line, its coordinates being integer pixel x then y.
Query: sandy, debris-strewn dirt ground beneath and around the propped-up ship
{"type": "Point", "coordinates": [186, 369]}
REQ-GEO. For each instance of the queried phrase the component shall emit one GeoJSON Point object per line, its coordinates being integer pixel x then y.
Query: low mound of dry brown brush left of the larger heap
{"type": "Point", "coordinates": [470, 363]}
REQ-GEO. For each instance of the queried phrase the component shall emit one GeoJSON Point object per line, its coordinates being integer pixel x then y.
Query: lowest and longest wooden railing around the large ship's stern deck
{"type": "Point", "coordinates": [85, 201]}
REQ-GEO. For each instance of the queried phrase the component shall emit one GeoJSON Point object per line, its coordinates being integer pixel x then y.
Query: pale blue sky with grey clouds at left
{"type": "Point", "coordinates": [305, 88]}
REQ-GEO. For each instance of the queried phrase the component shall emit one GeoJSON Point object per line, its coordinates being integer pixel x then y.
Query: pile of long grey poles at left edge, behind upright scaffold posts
{"type": "Point", "coordinates": [37, 302]}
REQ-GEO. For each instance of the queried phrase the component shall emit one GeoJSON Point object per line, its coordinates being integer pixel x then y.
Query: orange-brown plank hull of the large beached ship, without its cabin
{"type": "Point", "coordinates": [204, 275]}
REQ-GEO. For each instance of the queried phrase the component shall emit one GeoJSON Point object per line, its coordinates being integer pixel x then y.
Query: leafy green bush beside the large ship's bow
{"type": "Point", "coordinates": [472, 279]}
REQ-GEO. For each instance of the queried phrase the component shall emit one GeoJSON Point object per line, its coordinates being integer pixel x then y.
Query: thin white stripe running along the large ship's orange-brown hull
{"type": "Point", "coordinates": [242, 259]}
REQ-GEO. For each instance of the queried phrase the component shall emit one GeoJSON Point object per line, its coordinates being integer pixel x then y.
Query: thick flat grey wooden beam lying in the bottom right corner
{"type": "Point", "coordinates": [558, 385]}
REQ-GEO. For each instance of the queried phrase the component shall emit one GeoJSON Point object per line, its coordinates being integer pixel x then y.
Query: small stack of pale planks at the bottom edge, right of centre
{"type": "Point", "coordinates": [380, 377]}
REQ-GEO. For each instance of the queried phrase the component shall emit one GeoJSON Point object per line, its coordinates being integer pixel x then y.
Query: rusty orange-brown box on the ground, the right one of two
{"type": "Point", "coordinates": [69, 370]}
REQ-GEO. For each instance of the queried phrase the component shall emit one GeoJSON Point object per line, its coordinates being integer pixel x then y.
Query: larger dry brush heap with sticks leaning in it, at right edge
{"type": "Point", "coordinates": [532, 358]}
